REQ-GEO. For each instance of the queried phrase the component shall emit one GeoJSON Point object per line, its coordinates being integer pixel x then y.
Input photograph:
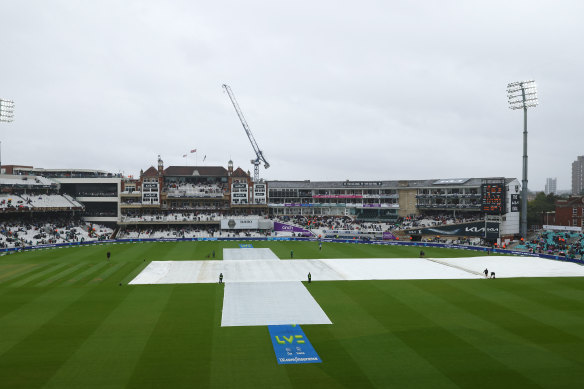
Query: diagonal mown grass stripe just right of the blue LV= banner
{"type": "Point", "coordinates": [383, 357]}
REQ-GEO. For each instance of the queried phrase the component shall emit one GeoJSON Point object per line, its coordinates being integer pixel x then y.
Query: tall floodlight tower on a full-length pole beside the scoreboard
{"type": "Point", "coordinates": [523, 95]}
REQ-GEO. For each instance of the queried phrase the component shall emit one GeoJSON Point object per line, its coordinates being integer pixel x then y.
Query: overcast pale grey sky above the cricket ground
{"type": "Point", "coordinates": [332, 90]}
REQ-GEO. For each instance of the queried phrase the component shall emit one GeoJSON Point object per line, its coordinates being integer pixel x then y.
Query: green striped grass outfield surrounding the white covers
{"type": "Point", "coordinates": [65, 322]}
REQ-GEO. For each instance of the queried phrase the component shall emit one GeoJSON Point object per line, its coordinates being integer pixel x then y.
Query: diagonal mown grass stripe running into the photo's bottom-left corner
{"type": "Point", "coordinates": [35, 359]}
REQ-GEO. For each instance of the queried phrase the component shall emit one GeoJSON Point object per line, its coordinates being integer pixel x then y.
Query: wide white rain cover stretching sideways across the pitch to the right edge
{"type": "Point", "coordinates": [265, 270]}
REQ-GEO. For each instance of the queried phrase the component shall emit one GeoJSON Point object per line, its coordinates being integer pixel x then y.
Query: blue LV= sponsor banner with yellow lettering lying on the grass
{"type": "Point", "coordinates": [291, 345]}
